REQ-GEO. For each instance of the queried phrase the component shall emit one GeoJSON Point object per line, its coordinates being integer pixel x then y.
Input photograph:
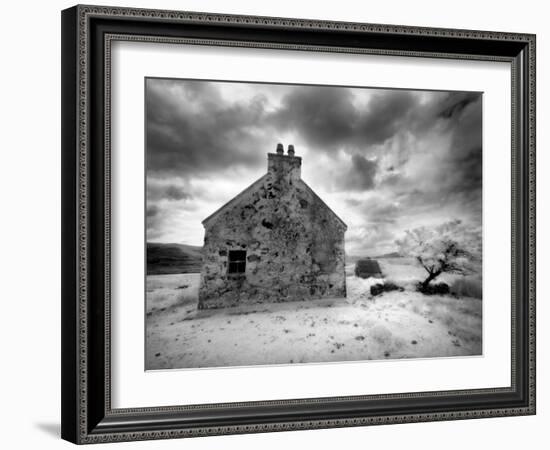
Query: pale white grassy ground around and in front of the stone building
{"type": "Point", "coordinates": [360, 327]}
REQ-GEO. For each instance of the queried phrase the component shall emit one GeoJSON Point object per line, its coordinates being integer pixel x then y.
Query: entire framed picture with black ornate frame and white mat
{"type": "Point", "coordinates": [277, 224]}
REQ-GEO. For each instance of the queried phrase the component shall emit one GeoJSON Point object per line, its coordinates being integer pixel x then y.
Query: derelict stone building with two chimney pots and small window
{"type": "Point", "coordinates": [276, 241]}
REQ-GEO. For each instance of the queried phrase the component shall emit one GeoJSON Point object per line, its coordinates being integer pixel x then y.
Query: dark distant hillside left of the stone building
{"type": "Point", "coordinates": [173, 258]}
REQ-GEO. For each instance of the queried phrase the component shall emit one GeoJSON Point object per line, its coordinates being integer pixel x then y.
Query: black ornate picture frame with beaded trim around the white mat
{"type": "Point", "coordinates": [88, 33]}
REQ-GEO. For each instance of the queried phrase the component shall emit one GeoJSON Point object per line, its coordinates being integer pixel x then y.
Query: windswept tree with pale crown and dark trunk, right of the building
{"type": "Point", "coordinates": [448, 248]}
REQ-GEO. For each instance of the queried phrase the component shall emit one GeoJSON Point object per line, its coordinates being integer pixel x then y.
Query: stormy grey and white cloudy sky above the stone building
{"type": "Point", "coordinates": [384, 160]}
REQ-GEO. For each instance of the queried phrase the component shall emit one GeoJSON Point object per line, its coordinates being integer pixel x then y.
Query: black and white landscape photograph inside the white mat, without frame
{"type": "Point", "coordinates": [293, 224]}
